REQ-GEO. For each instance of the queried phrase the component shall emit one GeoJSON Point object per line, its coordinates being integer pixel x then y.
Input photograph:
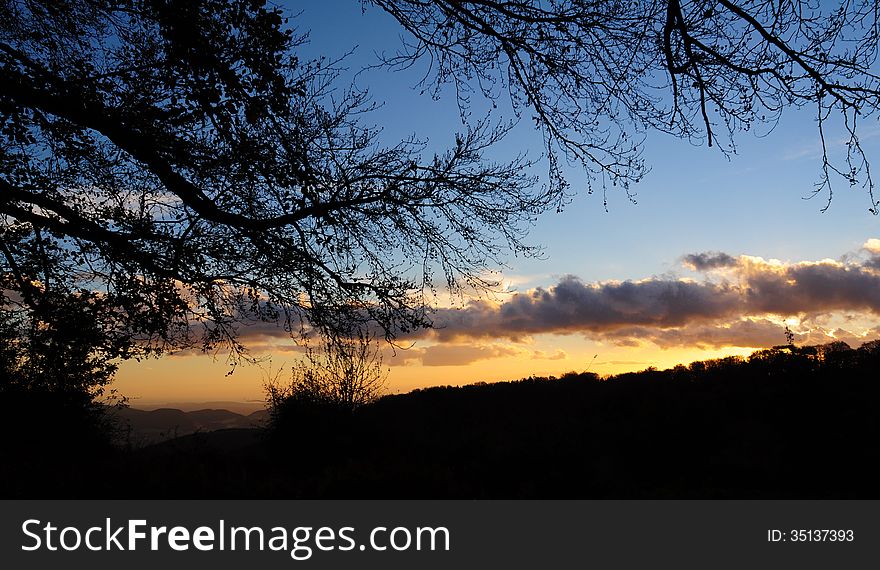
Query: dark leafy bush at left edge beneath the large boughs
{"type": "Point", "coordinates": [50, 377]}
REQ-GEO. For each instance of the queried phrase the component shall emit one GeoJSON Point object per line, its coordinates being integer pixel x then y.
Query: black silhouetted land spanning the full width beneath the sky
{"type": "Point", "coordinates": [781, 424]}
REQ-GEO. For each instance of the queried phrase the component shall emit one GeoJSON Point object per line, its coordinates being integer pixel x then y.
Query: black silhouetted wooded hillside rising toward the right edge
{"type": "Point", "coordinates": [784, 422]}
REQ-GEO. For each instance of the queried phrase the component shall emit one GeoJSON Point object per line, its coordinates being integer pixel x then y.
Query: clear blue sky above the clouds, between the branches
{"type": "Point", "coordinates": [694, 199]}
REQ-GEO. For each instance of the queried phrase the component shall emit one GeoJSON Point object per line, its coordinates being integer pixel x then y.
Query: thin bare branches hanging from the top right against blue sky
{"type": "Point", "coordinates": [596, 75]}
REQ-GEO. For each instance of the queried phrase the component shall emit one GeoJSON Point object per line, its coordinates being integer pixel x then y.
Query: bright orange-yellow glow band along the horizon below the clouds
{"type": "Point", "coordinates": [202, 378]}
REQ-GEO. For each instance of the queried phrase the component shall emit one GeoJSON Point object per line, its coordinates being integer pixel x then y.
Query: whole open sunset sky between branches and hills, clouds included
{"type": "Point", "coordinates": [715, 258]}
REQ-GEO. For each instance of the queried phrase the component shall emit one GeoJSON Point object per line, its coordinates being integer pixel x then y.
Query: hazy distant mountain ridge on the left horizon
{"type": "Point", "coordinates": [144, 427]}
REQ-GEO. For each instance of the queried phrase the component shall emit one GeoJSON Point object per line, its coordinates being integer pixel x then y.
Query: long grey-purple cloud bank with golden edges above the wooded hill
{"type": "Point", "coordinates": [744, 306]}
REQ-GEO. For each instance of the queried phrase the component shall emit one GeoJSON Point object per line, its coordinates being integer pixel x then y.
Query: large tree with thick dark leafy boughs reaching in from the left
{"type": "Point", "coordinates": [177, 164]}
